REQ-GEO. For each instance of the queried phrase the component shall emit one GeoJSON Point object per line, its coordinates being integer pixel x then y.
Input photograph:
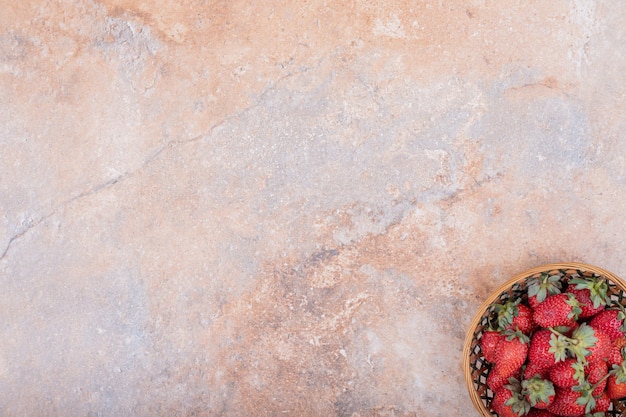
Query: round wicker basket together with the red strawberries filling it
{"type": "Point", "coordinates": [551, 341]}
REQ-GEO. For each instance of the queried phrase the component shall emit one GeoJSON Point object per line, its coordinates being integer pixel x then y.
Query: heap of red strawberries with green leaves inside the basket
{"type": "Point", "coordinates": [557, 350]}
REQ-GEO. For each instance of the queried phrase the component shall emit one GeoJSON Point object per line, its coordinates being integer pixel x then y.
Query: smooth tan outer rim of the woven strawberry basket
{"type": "Point", "coordinates": [469, 338]}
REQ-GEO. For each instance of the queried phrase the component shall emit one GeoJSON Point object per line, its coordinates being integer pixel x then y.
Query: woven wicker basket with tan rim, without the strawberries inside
{"type": "Point", "coordinates": [476, 368]}
